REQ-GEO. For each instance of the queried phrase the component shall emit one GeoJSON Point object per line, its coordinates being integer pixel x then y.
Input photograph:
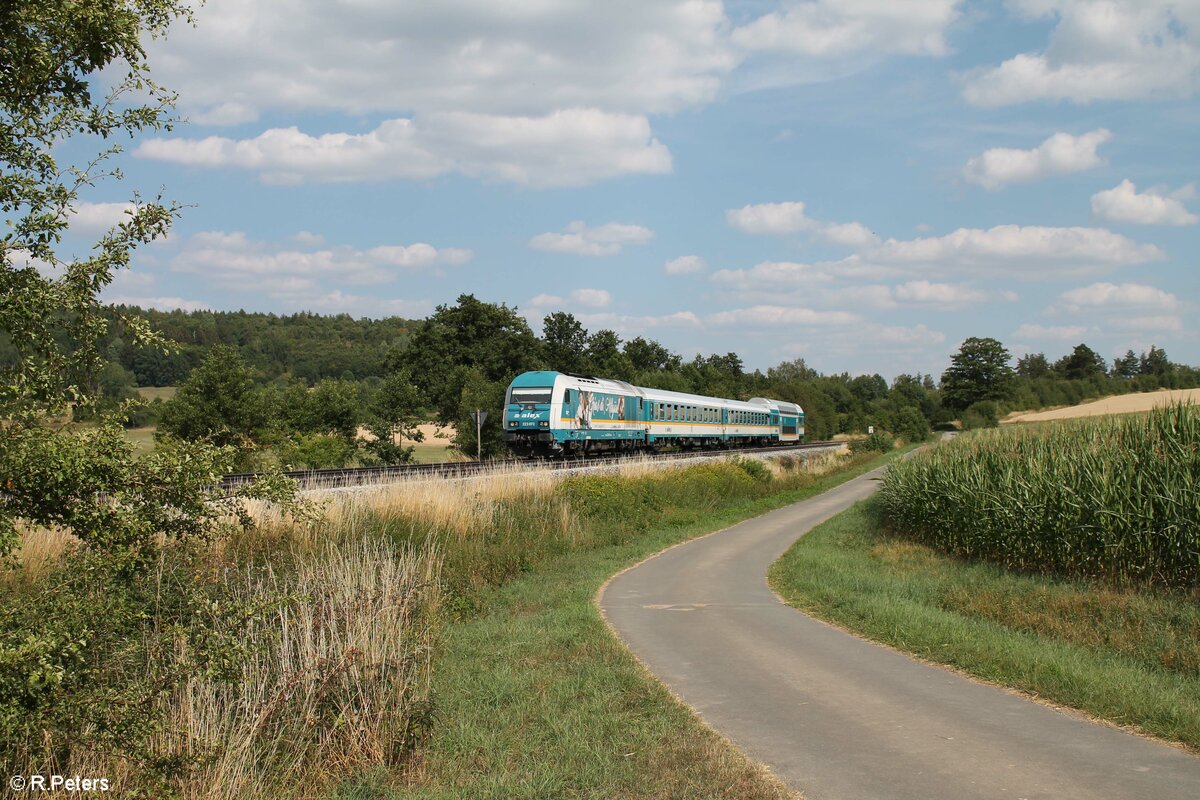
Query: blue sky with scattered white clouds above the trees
{"type": "Point", "coordinates": [863, 184]}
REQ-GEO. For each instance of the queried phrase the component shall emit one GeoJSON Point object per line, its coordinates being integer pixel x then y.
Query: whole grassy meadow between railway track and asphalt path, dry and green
{"type": "Point", "coordinates": [425, 639]}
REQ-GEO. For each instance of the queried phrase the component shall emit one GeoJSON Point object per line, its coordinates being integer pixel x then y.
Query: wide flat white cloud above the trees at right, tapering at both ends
{"type": "Point", "coordinates": [1029, 252]}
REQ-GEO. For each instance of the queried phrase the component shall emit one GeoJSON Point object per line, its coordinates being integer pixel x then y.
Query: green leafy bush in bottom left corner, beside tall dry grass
{"type": "Point", "coordinates": [86, 671]}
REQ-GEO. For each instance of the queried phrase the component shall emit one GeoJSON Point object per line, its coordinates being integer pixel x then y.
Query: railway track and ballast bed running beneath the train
{"type": "Point", "coordinates": [327, 479]}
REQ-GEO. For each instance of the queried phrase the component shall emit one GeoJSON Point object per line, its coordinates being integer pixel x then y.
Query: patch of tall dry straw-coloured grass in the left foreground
{"type": "Point", "coordinates": [343, 687]}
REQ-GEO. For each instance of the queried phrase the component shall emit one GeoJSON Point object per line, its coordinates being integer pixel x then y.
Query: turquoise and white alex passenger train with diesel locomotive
{"type": "Point", "coordinates": [565, 414]}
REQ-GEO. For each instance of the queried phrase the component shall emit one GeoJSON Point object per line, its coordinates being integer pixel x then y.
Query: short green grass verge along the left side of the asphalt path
{"type": "Point", "coordinates": [538, 700]}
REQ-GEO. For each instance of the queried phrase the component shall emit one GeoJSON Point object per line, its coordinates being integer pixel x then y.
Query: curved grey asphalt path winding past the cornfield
{"type": "Point", "coordinates": [836, 717]}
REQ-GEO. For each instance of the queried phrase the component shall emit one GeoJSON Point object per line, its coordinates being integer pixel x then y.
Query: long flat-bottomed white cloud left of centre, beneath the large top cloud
{"type": "Point", "coordinates": [566, 148]}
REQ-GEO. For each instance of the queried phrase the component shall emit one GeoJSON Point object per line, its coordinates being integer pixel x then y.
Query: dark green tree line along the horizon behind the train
{"type": "Point", "coordinates": [464, 357]}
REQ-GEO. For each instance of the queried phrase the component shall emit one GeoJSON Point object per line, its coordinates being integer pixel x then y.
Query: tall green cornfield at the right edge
{"type": "Point", "coordinates": [1111, 498]}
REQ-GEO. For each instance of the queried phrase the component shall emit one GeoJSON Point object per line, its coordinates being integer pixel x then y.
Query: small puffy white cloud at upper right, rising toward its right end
{"type": "Point", "coordinates": [1058, 155]}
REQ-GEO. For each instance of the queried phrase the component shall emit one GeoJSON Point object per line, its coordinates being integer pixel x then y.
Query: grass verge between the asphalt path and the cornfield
{"type": "Point", "coordinates": [1132, 658]}
